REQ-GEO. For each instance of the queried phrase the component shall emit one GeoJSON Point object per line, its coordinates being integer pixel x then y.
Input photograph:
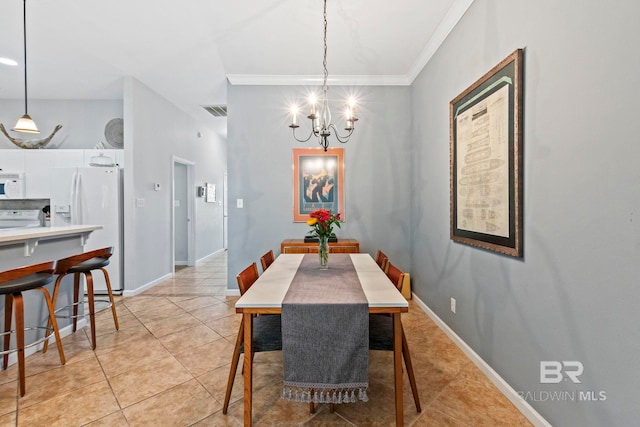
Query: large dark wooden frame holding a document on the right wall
{"type": "Point", "coordinates": [486, 160]}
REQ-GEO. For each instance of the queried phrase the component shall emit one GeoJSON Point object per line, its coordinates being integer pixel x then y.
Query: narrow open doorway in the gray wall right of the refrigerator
{"type": "Point", "coordinates": [182, 200]}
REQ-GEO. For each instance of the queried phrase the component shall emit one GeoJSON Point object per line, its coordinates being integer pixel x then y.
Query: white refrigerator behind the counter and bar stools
{"type": "Point", "coordinates": [92, 196]}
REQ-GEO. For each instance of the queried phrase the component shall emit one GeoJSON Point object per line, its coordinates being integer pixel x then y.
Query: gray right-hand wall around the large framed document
{"type": "Point", "coordinates": [575, 294]}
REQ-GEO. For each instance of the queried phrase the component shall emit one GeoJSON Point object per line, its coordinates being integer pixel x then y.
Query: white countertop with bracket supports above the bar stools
{"type": "Point", "coordinates": [31, 236]}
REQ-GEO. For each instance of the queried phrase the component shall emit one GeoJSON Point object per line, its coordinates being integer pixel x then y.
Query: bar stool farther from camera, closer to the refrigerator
{"type": "Point", "coordinates": [79, 264]}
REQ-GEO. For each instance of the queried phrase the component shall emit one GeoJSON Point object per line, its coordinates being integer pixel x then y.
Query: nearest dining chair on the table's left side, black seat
{"type": "Point", "coordinates": [267, 332]}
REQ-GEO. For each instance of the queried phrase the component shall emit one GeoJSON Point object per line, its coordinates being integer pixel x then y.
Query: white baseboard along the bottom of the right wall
{"type": "Point", "coordinates": [527, 410]}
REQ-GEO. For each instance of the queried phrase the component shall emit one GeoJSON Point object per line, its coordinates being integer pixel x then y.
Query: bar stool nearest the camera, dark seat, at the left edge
{"type": "Point", "coordinates": [12, 284]}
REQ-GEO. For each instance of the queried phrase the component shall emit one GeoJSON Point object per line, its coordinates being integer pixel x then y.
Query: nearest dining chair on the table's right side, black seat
{"type": "Point", "coordinates": [381, 332]}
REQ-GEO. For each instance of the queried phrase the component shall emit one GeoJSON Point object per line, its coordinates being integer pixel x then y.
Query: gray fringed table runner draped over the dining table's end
{"type": "Point", "coordinates": [325, 333]}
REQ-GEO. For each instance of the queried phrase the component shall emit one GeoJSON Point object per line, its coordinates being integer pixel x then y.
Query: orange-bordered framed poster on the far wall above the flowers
{"type": "Point", "coordinates": [318, 181]}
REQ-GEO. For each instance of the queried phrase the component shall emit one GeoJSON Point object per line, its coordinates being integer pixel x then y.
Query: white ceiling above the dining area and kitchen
{"type": "Point", "coordinates": [185, 49]}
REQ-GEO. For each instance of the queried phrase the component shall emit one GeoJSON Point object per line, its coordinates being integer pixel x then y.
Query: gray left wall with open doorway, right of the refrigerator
{"type": "Point", "coordinates": [155, 131]}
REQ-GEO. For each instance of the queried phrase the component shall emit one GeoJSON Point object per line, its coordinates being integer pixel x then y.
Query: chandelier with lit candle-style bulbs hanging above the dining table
{"type": "Point", "coordinates": [321, 125]}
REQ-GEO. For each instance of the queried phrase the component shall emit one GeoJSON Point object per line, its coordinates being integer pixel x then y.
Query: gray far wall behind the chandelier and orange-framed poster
{"type": "Point", "coordinates": [377, 174]}
